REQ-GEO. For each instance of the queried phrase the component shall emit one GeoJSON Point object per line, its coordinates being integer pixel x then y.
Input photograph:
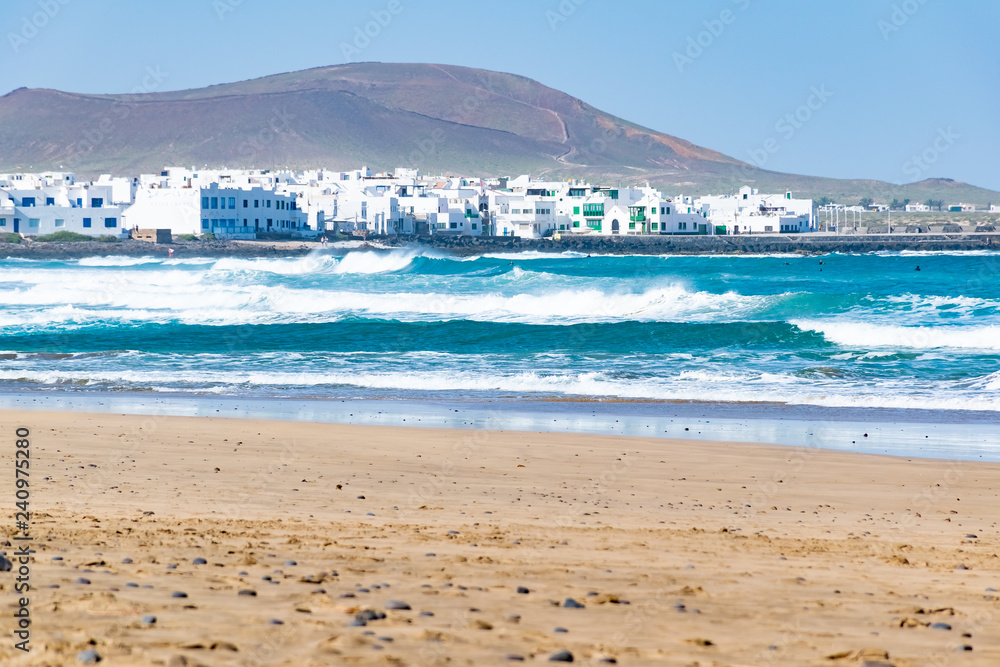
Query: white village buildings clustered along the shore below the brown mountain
{"type": "Point", "coordinates": [248, 204]}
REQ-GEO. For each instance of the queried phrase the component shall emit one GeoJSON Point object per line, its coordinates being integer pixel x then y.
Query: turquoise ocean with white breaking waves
{"type": "Point", "coordinates": [910, 333]}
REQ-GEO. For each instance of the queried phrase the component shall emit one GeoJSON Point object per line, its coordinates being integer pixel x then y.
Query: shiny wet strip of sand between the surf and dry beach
{"type": "Point", "coordinates": [900, 432]}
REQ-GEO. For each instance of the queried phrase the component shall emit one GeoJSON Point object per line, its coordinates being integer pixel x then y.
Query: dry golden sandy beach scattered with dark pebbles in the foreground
{"type": "Point", "coordinates": [470, 543]}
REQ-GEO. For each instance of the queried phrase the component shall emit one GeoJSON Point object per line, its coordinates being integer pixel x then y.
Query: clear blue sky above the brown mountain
{"type": "Point", "coordinates": [905, 77]}
